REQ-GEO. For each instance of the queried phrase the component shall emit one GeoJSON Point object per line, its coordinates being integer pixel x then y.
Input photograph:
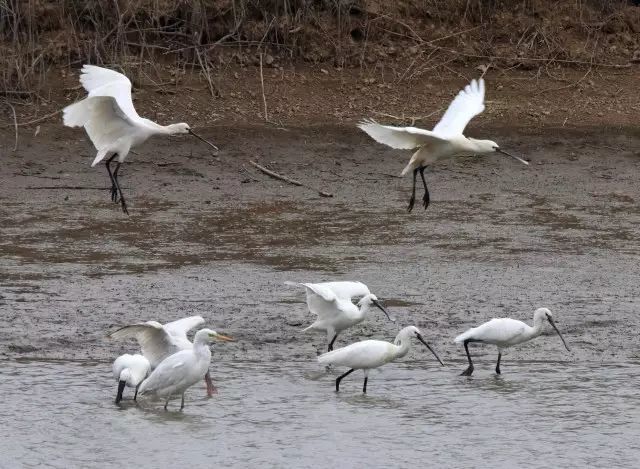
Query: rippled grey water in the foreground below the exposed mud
{"type": "Point", "coordinates": [537, 414]}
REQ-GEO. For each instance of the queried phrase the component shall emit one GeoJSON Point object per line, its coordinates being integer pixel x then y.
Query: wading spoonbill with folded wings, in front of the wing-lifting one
{"type": "Point", "coordinates": [369, 354]}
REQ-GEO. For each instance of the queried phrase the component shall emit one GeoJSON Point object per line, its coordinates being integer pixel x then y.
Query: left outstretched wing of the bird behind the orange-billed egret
{"type": "Point", "coordinates": [156, 343]}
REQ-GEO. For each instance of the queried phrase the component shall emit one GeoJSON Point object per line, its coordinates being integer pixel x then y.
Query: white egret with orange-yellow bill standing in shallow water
{"type": "Point", "coordinates": [183, 369]}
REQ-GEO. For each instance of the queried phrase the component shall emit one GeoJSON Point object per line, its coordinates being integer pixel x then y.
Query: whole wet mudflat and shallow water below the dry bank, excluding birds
{"type": "Point", "coordinates": [207, 236]}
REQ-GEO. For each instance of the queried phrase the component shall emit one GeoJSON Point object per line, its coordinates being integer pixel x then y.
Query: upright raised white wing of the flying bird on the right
{"type": "Point", "coordinates": [468, 104]}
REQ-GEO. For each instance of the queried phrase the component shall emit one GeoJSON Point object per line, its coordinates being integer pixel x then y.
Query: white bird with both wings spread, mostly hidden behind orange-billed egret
{"type": "Point", "coordinates": [159, 341]}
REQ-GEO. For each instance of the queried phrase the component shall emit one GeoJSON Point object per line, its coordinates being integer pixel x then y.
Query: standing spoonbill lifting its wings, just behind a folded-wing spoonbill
{"type": "Point", "coordinates": [331, 302]}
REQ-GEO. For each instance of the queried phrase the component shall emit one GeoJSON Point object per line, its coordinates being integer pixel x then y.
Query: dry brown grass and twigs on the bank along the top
{"type": "Point", "coordinates": [200, 36]}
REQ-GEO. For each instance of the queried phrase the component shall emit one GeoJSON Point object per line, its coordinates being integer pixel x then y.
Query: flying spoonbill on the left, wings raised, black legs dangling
{"type": "Point", "coordinates": [111, 121]}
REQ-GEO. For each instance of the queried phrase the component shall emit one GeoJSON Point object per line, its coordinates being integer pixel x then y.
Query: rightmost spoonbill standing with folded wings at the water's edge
{"type": "Point", "coordinates": [505, 332]}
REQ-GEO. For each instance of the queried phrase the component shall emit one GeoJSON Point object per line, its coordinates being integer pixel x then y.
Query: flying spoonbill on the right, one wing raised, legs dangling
{"type": "Point", "coordinates": [444, 141]}
